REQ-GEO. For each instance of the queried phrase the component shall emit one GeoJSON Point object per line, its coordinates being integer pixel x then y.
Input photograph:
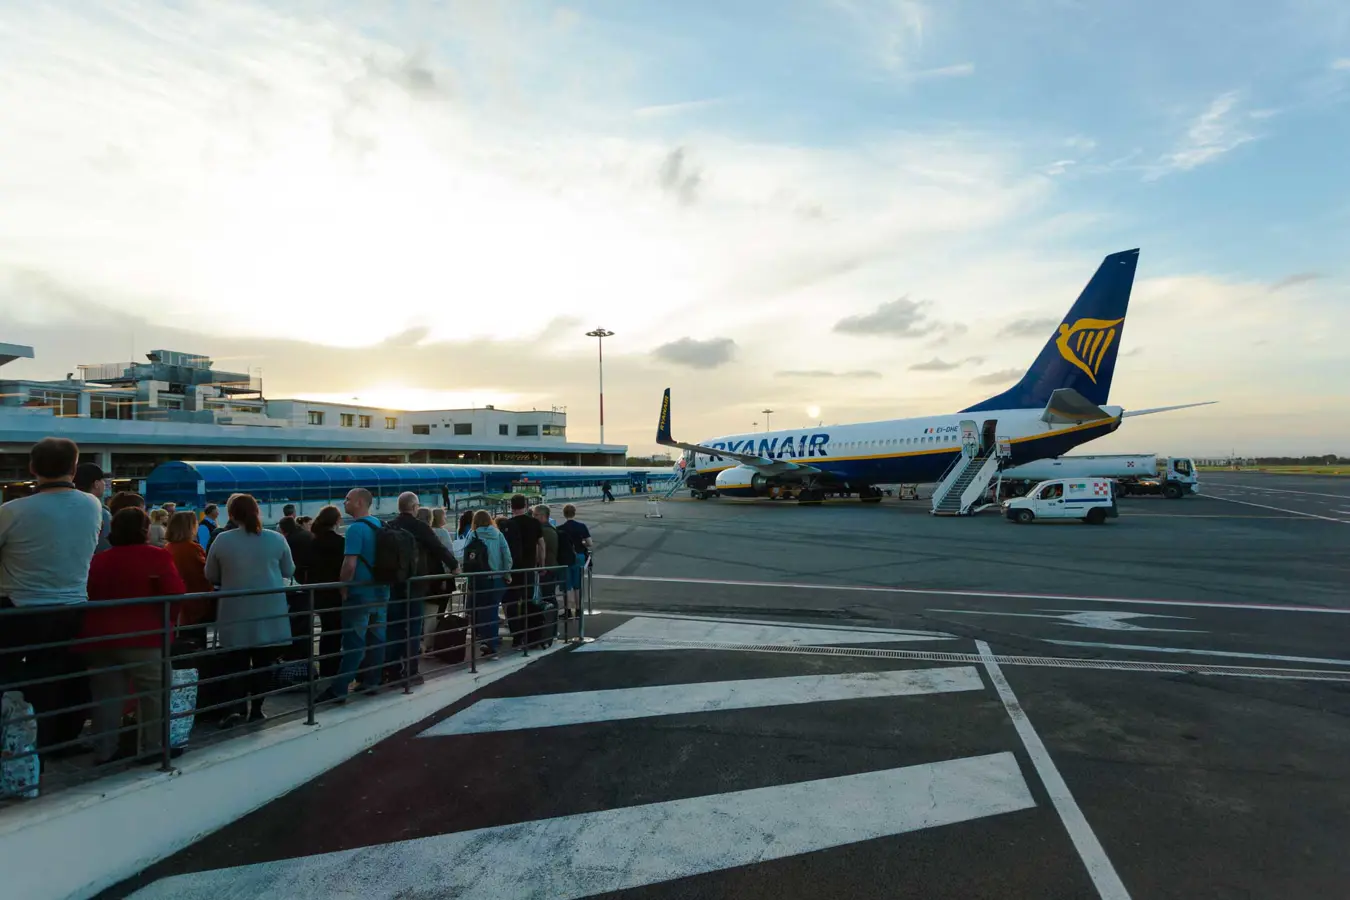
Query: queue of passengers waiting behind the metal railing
{"type": "Point", "coordinates": [63, 551]}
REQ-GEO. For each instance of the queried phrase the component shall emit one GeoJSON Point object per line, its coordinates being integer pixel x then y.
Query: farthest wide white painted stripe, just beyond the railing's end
{"type": "Point", "coordinates": [634, 634]}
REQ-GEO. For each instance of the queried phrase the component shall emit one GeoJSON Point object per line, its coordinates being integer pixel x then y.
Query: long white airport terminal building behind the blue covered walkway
{"type": "Point", "coordinates": [133, 416]}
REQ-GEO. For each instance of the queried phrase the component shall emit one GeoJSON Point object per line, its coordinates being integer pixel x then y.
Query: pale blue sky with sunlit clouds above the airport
{"type": "Point", "coordinates": [877, 208]}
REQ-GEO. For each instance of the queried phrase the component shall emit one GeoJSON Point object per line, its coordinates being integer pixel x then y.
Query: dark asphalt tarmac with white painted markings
{"type": "Point", "coordinates": [866, 701]}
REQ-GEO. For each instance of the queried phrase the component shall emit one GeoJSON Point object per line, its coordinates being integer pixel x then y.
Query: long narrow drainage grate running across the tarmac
{"type": "Point", "coordinates": [1050, 662]}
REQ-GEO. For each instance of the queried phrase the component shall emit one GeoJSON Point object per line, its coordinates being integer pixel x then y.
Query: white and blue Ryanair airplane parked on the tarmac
{"type": "Point", "coordinates": [1059, 404]}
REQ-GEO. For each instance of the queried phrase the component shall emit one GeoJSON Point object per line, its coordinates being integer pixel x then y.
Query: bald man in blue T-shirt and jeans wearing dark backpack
{"type": "Point", "coordinates": [372, 562]}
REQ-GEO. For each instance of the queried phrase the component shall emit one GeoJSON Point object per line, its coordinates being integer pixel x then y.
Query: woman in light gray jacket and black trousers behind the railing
{"type": "Point", "coordinates": [254, 629]}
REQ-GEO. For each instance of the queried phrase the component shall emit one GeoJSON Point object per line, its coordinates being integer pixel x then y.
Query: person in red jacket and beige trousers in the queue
{"type": "Point", "coordinates": [134, 643]}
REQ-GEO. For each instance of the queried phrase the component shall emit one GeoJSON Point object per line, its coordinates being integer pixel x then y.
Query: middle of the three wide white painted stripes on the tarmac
{"type": "Point", "coordinates": [550, 710]}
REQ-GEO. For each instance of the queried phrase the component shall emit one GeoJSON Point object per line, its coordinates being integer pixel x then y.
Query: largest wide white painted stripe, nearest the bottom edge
{"type": "Point", "coordinates": [593, 853]}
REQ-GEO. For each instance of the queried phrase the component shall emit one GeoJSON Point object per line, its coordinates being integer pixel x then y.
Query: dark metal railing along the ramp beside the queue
{"type": "Point", "coordinates": [203, 674]}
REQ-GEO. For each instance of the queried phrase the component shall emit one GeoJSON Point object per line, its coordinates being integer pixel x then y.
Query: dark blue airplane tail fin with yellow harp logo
{"type": "Point", "coordinates": [1082, 353]}
